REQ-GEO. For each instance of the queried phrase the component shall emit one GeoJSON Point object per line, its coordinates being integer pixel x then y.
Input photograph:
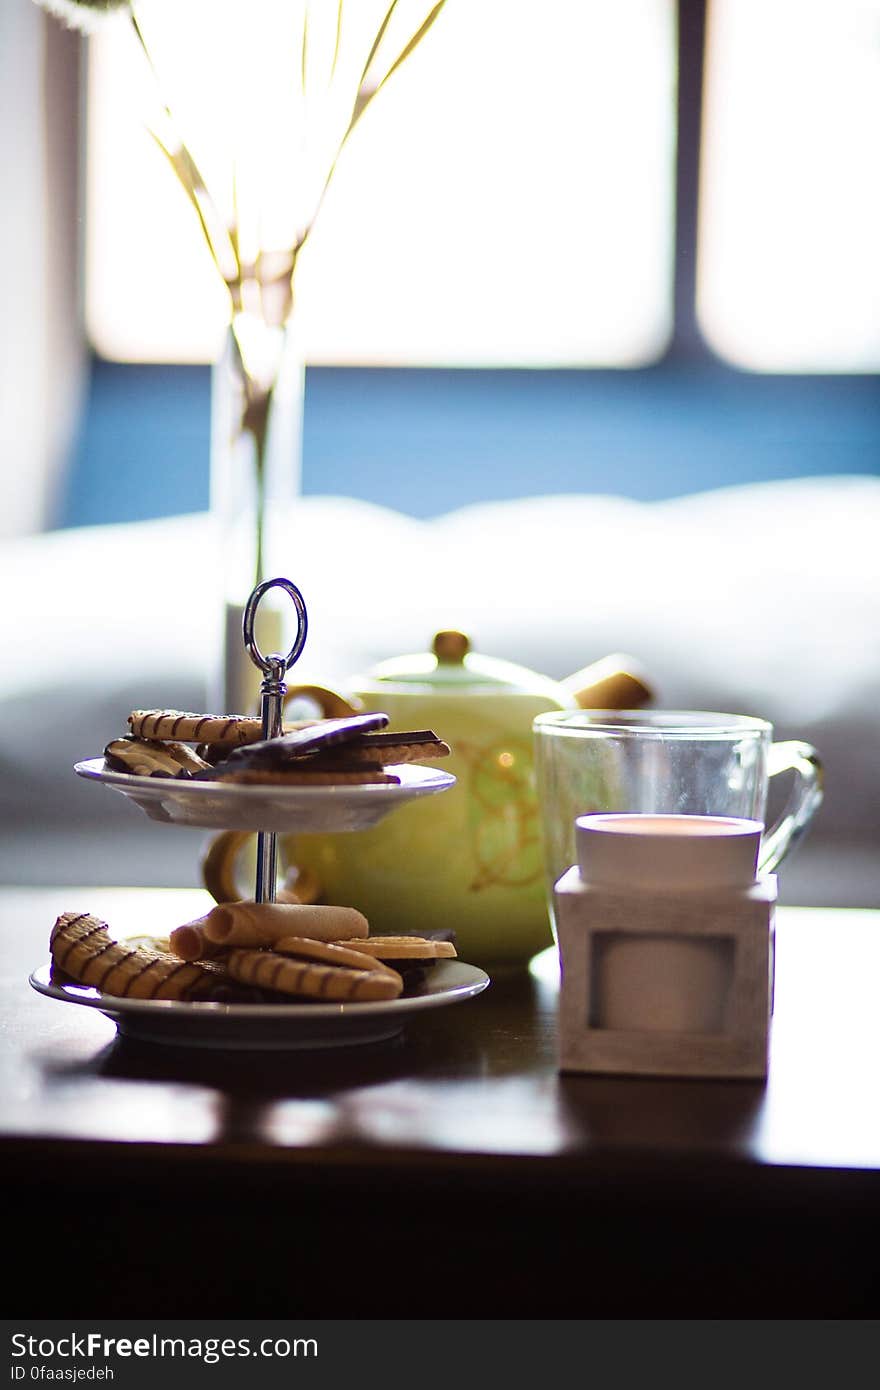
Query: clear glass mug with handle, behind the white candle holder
{"type": "Point", "coordinates": [667, 762]}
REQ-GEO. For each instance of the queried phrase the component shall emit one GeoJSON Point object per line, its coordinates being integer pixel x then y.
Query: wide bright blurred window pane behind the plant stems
{"type": "Point", "coordinates": [508, 201]}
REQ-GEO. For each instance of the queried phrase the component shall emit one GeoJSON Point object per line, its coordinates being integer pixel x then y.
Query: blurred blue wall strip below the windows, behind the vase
{"type": "Point", "coordinates": [430, 441]}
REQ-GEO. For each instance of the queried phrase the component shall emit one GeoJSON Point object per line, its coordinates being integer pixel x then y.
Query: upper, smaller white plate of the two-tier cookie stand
{"type": "Point", "coordinates": [236, 807]}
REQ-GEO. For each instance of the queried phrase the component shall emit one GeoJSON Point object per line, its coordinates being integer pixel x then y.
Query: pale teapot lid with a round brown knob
{"type": "Point", "coordinates": [453, 665]}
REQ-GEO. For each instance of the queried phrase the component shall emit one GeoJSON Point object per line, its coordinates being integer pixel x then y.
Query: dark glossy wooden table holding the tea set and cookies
{"type": "Point", "coordinates": [451, 1174]}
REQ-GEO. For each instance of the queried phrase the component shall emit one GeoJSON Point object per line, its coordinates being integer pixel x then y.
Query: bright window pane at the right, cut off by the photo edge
{"type": "Point", "coordinates": [789, 273]}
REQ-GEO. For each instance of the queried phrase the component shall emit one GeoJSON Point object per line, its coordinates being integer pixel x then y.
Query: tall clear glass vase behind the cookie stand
{"type": "Point", "coordinates": [255, 477]}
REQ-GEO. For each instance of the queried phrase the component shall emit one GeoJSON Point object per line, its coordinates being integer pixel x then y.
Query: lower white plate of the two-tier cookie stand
{"type": "Point", "coordinates": [277, 1027]}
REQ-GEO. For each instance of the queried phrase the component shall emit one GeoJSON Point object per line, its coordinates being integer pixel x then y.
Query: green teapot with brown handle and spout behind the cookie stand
{"type": "Point", "coordinates": [472, 858]}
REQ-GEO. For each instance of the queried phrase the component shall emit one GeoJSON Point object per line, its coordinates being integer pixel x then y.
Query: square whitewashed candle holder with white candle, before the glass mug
{"type": "Point", "coordinates": [667, 939]}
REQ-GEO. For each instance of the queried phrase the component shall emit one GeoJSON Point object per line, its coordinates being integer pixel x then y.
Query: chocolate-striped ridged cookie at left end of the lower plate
{"type": "Point", "coordinates": [83, 947]}
